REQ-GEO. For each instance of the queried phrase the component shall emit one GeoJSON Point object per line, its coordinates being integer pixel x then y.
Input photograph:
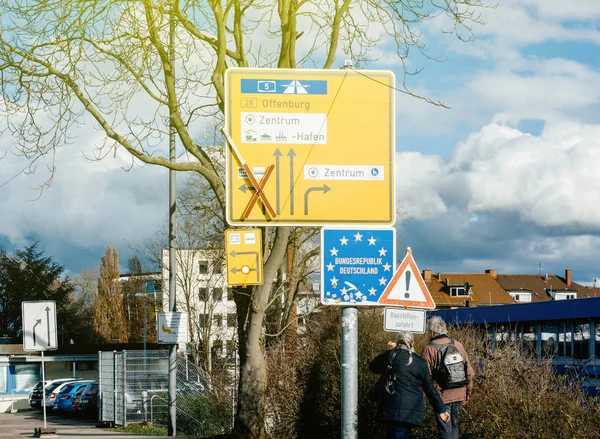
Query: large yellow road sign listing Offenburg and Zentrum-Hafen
{"type": "Point", "coordinates": [329, 135]}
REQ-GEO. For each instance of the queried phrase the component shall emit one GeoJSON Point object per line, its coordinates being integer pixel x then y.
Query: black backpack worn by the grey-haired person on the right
{"type": "Point", "coordinates": [450, 371]}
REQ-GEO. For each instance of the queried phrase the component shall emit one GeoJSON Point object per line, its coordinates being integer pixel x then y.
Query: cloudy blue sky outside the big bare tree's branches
{"type": "Point", "coordinates": [506, 179]}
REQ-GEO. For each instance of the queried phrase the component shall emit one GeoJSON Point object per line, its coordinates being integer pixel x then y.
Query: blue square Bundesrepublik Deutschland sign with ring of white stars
{"type": "Point", "coordinates": [356, 264]}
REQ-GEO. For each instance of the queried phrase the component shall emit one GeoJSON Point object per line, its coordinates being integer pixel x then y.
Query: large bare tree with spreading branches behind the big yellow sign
{"type": "Point", "coordinates": [134, 68]}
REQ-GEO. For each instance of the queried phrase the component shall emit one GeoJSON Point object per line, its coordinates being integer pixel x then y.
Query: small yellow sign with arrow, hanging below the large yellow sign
{"type": "Point", "coordinates": [244, 256]}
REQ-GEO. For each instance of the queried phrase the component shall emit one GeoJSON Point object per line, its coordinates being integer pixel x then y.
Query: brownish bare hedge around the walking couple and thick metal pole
{"type": "Point", "coordinates": [514, 396]}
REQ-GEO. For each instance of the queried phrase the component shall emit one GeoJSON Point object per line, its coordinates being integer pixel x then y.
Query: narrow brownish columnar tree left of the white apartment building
{"type": "Point", "coordinates": [109, 316]}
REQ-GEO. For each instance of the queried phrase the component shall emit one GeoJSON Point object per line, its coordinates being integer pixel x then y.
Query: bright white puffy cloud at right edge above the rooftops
{"type": "Point", "coordinates": [547, 180]}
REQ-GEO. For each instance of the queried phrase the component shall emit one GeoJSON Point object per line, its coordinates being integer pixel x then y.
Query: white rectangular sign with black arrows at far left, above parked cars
{"type": "Point", "coordinates": [39, 326]}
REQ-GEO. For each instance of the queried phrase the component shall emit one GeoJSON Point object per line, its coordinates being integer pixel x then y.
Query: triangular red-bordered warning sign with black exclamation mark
{"type": "Point", "coordinates": [407, 287]}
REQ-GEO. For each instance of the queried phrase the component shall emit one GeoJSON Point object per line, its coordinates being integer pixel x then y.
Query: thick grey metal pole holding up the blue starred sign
{"type": "Point", "coordinates": [349, 331]}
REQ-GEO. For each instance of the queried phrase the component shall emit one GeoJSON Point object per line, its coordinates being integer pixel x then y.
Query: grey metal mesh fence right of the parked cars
{"type": "Point", "coordinates": [134, 387]}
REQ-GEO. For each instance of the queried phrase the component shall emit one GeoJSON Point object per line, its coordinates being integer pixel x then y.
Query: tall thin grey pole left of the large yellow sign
{"type": "Point", "coordinates": [172, 416]}
